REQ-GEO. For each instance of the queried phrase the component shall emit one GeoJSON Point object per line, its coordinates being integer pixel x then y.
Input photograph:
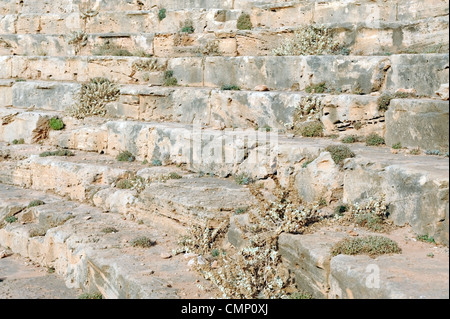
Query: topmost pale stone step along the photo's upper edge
{"type": "Point", "coordinates": [73, 16]}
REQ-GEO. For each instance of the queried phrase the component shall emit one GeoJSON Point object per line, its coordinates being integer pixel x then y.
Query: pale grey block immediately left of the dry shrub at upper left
{"type": "Point", "coordinates": [44, 95]}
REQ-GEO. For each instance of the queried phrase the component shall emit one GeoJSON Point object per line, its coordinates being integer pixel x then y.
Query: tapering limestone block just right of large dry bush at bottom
{"type": "Point", "coordinates": [308, 257]}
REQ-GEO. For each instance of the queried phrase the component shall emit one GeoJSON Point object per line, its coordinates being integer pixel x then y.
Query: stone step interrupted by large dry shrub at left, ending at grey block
{"type": "Point", "coordinates": [213, 107]}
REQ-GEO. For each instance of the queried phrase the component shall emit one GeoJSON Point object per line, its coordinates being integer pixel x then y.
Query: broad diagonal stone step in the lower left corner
{"type": "Point", "coordinates": [72, 239]}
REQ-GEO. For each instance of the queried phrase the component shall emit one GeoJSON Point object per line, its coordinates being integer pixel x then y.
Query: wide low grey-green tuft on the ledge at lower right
{"type": "Point", "coordinates": [370, 245]}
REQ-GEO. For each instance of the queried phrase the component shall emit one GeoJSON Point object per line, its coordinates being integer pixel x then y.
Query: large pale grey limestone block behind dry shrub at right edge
{"type": "Point", "coordinates": [417, 194]}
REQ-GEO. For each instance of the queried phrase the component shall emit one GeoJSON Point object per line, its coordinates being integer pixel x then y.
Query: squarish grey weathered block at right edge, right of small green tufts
{"type": "Point", "coordinates": [418, 123]}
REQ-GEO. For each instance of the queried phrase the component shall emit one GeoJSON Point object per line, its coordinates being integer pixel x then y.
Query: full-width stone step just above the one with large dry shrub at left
{"type": "Point", "coordinates": [367, 74]}
